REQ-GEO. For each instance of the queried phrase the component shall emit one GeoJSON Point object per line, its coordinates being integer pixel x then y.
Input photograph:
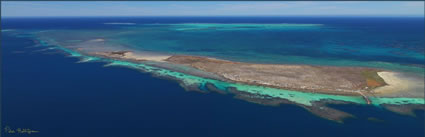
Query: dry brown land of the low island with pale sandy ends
{"type": "Point", "coordinates": [316, 79]}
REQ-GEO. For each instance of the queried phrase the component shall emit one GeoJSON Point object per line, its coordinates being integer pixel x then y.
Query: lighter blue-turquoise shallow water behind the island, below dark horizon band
{"type": "Point", "coordinates": [311, 44]}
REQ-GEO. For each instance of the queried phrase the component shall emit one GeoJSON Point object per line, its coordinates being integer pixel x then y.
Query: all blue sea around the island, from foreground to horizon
{"type": "Point", "coordinates": [48, 91]}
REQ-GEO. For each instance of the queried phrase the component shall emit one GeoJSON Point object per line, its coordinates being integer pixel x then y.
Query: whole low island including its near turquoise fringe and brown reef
{"type": "Point", "coordinates": [309, 86]}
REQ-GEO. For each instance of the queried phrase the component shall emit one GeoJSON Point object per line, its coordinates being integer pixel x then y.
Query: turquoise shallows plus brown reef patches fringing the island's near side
{"type": "Point", "coordinates": [312, 101]}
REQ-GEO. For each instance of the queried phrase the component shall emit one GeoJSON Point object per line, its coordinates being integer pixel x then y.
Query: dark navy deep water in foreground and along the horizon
{"type": "Point", "coordinates": [51, 93]}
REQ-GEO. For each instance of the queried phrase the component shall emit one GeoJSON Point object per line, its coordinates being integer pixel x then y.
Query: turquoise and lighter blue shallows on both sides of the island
{"type": "Point", "coordinates": [280, 43]}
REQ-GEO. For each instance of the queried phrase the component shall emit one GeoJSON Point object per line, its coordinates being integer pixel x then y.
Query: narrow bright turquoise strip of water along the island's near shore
{"type": "Point", "coordinates": [293, 96]}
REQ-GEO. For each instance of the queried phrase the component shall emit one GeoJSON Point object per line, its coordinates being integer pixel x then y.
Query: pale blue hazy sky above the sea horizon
{"type": "Point", "coordinates": [210, 8]}
